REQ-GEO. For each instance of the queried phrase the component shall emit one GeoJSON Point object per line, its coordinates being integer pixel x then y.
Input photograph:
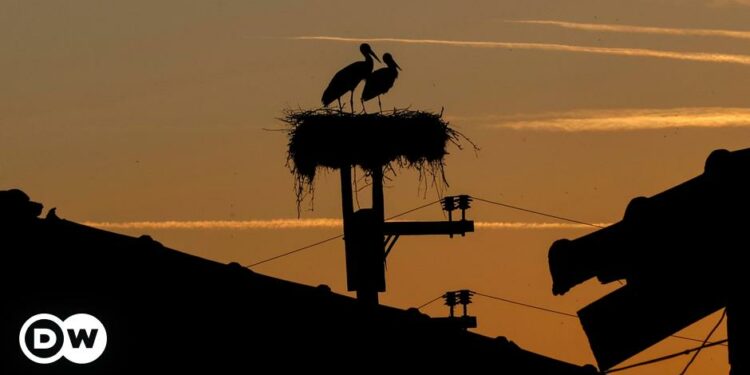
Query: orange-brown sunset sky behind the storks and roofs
{"type": "Point", "coordinates": [141, 116]}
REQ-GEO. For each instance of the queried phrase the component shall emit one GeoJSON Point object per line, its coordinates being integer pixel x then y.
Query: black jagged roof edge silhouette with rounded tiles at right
{"type": "Point", "coordinates": [683, 254]}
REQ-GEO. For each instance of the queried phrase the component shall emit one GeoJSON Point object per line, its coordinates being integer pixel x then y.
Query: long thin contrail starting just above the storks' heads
{"type": "Point", "coordinates": [630, 52]}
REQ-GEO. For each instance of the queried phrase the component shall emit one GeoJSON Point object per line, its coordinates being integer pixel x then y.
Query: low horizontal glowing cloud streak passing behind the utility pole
{"type": "Point", "coordinates": [275, 224]}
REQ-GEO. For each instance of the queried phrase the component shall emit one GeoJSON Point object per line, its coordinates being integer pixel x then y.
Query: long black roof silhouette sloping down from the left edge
{"type": "Point", "coordinates": [168, 311]}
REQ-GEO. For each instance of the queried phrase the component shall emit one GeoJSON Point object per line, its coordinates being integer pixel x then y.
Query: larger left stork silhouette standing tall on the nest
{"type": "Point", "coordinates": [347, 79]}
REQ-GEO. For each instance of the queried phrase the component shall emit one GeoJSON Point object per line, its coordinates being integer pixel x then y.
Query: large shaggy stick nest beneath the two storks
{"type": "Point", "coordinates": [334, 139]}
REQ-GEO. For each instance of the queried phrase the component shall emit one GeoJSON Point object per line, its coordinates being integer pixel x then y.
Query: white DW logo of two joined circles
{"type": "Point", "coordinates": [81, 338]}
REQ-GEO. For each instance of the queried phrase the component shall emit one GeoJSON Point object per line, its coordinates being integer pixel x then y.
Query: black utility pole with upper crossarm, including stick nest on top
{"type": "Point", "coordinates": [405, 138]}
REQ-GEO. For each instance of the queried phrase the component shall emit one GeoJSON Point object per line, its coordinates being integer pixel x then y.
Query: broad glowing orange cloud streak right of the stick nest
{"type": "Point", "coordinates": [620, 120]}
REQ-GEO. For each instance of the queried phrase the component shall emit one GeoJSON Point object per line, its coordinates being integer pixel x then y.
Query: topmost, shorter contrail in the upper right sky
{"type": "Point", "coordinates": [737, 34]}
